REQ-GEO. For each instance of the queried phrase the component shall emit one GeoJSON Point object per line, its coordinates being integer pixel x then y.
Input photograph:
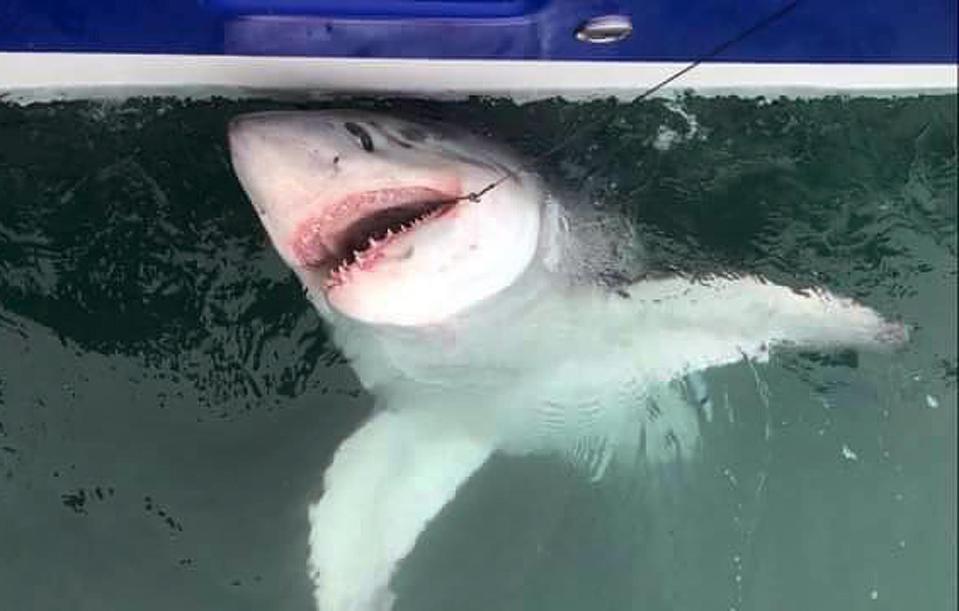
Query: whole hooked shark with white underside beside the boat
{"type": "Point", "coordinates": [450, 278]}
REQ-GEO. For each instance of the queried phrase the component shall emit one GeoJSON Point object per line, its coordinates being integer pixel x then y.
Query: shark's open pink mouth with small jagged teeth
{"type": "Point", "coordinates": [353, 233]}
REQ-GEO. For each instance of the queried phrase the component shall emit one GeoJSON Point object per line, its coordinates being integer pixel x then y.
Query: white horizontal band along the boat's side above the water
{"type": "Point", "coordinates": [38, 76]}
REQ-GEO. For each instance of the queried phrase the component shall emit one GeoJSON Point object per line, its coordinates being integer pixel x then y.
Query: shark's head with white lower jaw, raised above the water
{"type": "Point", "coordinates": [372, 212]}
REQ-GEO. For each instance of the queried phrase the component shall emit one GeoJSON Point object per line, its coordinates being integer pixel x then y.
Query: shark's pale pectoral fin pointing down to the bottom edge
{"type": "Point", "coordinates": [386, 482]}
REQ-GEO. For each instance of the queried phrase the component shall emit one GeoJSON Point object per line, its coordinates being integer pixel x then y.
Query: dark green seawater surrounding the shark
{"type": "Point", "coordinates": [169, 400]}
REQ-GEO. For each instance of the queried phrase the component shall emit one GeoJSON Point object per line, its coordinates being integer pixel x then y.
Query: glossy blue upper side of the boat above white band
{"type": "Point", "coordinates": [817, 31]}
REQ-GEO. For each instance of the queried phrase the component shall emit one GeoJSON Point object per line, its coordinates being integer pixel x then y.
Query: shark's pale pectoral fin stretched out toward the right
{"type": "Point", "coordinates": [691, 325]}
